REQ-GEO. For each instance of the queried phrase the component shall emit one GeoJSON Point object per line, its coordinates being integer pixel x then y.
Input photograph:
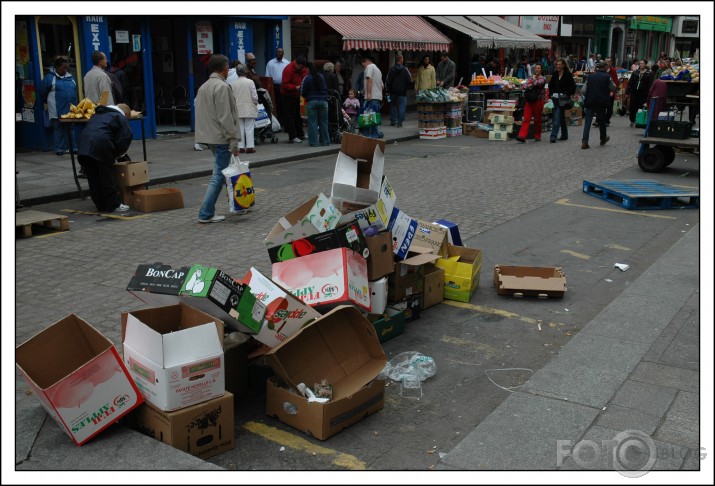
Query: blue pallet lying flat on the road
{"type": "Point", "coordinates": [642, 194]}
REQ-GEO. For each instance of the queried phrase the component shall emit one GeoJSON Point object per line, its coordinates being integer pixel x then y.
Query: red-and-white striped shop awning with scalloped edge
{"type": "Point", "coordinates": [387, 33]}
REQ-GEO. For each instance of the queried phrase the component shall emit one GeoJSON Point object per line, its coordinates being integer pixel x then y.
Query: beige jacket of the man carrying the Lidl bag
{"type": "Point", "coordinates": [216, 114]}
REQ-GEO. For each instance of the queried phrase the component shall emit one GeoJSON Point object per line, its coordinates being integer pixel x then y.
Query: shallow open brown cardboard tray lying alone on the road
{"type": "Point", "coordinates": [530, 281]}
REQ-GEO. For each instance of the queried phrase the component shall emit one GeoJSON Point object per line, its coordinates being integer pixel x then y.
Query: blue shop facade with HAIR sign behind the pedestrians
{"type": "Point", "coordinates": [162, 57]}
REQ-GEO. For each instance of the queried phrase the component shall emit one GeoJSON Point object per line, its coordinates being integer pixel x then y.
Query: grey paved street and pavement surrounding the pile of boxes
{"type": "Point", "coordinates": [620, 351]}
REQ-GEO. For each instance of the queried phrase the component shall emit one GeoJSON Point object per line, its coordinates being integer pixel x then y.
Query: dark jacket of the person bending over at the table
{"type": "Point", "coordinates": [106, 136]}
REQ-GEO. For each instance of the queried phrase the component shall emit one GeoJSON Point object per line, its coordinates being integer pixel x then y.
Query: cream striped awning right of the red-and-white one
{"type": "Point", "coordinates": [493, 32]}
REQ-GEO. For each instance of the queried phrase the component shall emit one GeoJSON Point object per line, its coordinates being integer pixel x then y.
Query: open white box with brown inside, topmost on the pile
{"type": "Point", "coordinates": [359, 169]}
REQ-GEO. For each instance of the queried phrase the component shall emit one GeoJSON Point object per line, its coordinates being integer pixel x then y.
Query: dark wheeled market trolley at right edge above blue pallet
{"type": "Point", "coordinates": [662, 137]}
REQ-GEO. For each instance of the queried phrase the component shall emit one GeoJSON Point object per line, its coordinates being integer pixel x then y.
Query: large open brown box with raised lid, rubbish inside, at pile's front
{"type": "Point", "coordinates": [344, 350]}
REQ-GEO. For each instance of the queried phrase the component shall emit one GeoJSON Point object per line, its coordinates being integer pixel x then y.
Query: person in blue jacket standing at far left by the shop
{"type": "Point", "coordinates": [58, 89]}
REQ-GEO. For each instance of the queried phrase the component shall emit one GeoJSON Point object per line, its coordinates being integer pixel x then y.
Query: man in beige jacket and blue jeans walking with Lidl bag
{"type": "Point", "coordinates": [217, 127]}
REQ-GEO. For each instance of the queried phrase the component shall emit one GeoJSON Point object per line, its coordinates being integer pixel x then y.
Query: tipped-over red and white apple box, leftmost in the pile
{"type": "Point", "coordinates": [78, 376]}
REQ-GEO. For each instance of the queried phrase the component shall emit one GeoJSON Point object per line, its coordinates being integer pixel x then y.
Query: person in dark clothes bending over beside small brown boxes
{"type": "Point", "coordinates": [106, 137]}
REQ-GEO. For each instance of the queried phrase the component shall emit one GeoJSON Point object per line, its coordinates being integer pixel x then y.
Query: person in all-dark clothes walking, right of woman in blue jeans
{"type": "Point", "coordinates": [597, 91]}
